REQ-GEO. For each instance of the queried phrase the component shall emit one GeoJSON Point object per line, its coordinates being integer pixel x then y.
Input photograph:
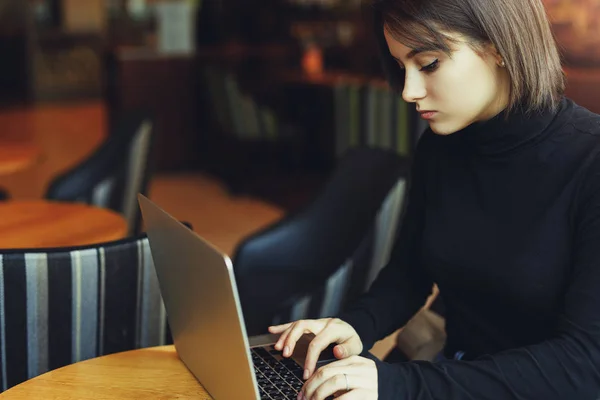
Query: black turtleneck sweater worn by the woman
{"type": "Point", "coordinates": [505, 217]}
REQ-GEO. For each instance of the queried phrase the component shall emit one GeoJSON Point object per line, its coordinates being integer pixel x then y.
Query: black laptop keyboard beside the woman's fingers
{"type": "Point", "coordinates": [278, 378]}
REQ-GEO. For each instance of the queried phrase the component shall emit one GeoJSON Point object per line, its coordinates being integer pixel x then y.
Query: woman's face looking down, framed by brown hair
{"type": "Point", "coordinates": [462, 89]}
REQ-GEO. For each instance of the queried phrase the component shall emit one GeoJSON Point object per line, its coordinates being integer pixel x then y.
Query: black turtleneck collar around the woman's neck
{"type": "Point", "coordinates": [500, 134]}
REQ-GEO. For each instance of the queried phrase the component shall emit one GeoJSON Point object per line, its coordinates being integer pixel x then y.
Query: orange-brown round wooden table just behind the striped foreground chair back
{"type": "Point", "coordinates": [44, 223]}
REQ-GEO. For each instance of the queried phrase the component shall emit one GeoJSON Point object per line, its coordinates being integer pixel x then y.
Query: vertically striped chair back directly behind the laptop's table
{"type": "Point", "coordinates": [60, 306]}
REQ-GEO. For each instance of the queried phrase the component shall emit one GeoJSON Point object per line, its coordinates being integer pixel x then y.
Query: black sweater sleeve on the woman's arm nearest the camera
{"type": "Point", "coordinates": [567, 366]}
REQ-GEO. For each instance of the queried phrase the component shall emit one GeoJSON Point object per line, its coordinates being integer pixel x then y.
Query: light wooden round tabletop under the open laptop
{"type": "Point", "coordinates": [153, 373]}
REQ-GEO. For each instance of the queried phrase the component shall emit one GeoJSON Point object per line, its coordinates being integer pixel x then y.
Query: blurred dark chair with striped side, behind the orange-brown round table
{"type": "Point", "coordinates": [113, 175]}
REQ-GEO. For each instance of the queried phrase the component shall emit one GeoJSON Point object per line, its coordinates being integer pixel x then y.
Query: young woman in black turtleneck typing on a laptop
{"type": "Point", "coordinates": [503, 214]}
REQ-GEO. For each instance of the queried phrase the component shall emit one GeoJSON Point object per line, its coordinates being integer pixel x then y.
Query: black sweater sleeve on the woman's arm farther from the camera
{"type": "Point", "coordinates": [402, 287]}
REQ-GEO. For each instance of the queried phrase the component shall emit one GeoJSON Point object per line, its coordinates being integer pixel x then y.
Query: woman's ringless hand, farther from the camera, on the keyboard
{"type": "Point", "coordinates": [326, 331]}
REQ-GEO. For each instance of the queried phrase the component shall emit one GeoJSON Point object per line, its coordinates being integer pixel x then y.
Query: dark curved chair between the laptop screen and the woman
{"type": "Point", "coordinates": [293, 263]}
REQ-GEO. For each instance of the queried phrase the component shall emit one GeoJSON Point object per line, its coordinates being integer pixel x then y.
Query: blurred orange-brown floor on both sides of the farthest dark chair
{"type": "Point", "coordinates": [69, 133]}
